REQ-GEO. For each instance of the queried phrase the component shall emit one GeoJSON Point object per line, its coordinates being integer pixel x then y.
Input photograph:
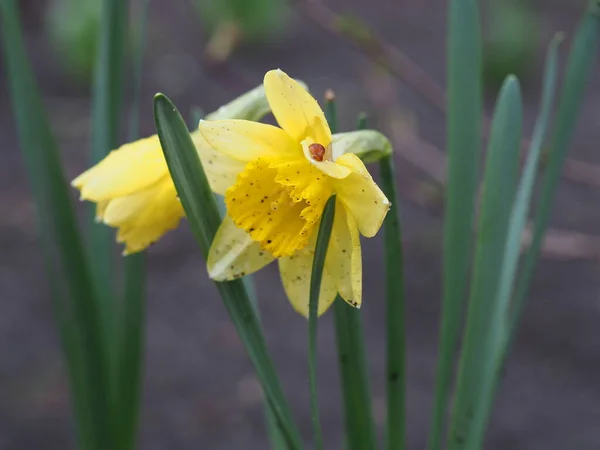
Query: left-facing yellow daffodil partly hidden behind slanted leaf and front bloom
{"type": "Point", "coordinates": [133, 188]}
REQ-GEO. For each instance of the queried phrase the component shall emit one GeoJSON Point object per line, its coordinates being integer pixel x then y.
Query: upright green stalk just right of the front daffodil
{"type": "Point", "coordinates": [395, 324]}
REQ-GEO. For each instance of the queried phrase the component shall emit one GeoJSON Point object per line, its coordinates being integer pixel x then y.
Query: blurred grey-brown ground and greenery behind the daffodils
{"type": "Point", "coordinates": [382, 57]}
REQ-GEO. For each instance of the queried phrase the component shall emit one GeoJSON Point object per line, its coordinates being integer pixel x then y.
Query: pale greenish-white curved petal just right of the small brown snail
{"type": "Point", "coordinates": [369, 145]}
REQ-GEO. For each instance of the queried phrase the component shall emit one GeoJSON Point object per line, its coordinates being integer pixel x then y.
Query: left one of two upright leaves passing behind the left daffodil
{"type": "Point", "coordinates": [106, 117]}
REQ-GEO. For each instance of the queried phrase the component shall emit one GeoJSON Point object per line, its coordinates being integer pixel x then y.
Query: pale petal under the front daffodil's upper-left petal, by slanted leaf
{"type": "Point", "coordinates": [221, 170]}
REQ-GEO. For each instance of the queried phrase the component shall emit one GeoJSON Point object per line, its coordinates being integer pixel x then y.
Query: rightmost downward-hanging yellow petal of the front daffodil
{"type": "Point", "coordinates": [344, 259]}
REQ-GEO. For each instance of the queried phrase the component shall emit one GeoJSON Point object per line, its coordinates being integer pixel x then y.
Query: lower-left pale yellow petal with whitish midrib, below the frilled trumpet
{"type": "Point", "coordinates": [234, 254]}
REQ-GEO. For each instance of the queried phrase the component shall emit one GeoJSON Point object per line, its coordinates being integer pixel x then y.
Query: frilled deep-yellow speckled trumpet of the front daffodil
{"type": "Point", "coordinates": [278, 203]}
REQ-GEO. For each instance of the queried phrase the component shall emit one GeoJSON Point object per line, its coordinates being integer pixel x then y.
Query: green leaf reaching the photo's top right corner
{"type": "Point", "coordinates": [580, 64]}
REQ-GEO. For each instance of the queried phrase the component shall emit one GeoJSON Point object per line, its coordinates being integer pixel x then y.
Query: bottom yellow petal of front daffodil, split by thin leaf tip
{"type": "Point", "coordinates": [295, 274]}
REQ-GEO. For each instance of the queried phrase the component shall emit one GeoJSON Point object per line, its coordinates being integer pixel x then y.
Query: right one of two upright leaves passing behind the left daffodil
{"type": "Point", "coordinates": [130, 344]}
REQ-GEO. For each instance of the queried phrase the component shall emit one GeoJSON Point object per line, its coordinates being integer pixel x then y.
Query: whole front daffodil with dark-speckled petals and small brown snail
{"type": "Point", "coordinates": [275, 203]}
